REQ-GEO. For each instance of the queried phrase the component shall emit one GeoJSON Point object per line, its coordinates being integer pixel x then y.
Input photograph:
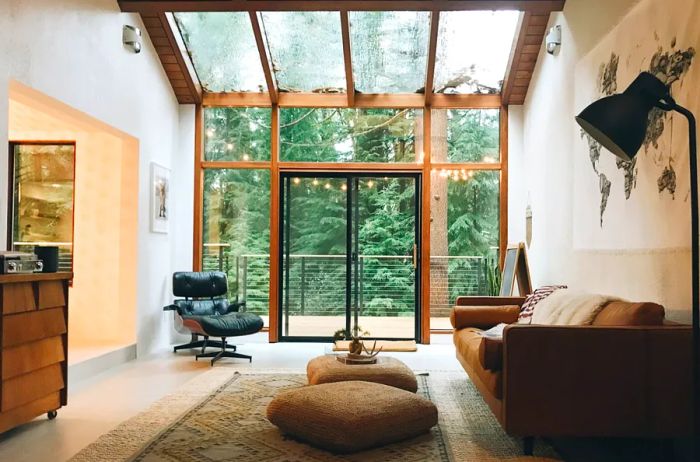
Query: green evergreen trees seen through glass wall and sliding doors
{"type": "Point", "coordinates": [237, 205]}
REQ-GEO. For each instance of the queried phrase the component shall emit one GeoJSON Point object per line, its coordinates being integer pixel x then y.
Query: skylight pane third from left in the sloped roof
{"type": "Point", "coordinates": [389, 50]}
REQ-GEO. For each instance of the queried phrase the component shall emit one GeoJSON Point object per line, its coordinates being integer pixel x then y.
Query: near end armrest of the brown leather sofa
{"type": "Point", "coordinates": [597, 381]}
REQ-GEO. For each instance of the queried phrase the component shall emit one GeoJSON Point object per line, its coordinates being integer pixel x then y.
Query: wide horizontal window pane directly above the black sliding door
{"type": "Point", "coordinates": [347, 135]}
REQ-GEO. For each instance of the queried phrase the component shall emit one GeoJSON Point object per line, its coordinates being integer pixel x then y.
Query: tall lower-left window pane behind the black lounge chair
{"type": "Point", "coordinates": [236, 233]}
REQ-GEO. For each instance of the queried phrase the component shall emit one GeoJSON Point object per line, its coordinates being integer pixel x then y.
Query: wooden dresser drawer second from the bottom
{"type": "Point", "coordinates": [30, 387]}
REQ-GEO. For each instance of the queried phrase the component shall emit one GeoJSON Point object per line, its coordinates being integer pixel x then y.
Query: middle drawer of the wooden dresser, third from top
{"type": "Point", "coordinates": [32, 356]}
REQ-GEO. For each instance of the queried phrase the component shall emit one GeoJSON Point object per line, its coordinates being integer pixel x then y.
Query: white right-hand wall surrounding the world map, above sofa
{"type": "Point", "coordinates": [547, 177]}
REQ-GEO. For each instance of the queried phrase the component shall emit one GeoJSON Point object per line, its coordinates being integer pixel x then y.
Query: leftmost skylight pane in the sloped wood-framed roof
{"type": "Point", "coordinates": [223, 51]}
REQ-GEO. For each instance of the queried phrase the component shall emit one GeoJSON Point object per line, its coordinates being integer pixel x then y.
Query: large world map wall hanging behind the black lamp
{"type": "Point", "coordinates": [613, 198]}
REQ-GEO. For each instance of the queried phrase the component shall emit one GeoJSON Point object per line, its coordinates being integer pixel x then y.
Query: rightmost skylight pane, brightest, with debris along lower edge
{"type": "Point", "coordinates": [473, 50]}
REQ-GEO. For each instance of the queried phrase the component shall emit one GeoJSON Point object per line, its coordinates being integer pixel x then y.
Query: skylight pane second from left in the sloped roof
{"type": "Point", "coordinates": [307, 50]}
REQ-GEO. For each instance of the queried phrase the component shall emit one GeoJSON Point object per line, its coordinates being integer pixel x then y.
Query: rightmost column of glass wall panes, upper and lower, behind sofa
{"type": "Point", "coordinates": [465, 208]}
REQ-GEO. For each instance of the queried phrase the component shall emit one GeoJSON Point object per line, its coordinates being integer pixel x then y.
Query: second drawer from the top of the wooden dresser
{"type": "Point", "coordinates": [32, 325]}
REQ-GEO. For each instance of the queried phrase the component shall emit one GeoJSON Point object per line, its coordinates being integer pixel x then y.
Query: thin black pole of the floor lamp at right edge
{"type": "Point", "coordinates": [692, 132]}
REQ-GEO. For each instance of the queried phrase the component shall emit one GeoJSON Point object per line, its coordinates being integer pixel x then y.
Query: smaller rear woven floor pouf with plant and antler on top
{"type": "Point", "coordinates": [388, 371]}
